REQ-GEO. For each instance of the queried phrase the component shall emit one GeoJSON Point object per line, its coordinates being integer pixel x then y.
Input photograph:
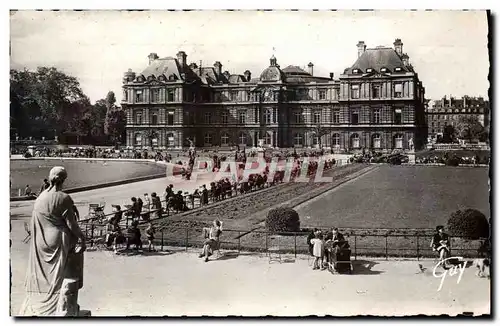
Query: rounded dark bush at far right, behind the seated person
{"type": "Point", "coordinates": [469, 223]}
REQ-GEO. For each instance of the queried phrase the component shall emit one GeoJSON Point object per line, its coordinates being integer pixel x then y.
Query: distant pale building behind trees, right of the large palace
{"type": "Point", "coordinates": [448, 111]}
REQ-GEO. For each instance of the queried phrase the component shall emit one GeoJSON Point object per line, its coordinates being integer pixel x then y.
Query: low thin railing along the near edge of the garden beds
{"type": "Point", "coordinates": [363, 243]}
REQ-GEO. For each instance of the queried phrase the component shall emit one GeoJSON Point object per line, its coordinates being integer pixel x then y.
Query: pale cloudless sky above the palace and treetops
{"type": "Point", "coordinates": [448, 49]}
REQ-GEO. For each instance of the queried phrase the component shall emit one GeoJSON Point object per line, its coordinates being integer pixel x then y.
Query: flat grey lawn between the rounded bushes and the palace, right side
{"type": "Point", "coordinates": [400, 197]}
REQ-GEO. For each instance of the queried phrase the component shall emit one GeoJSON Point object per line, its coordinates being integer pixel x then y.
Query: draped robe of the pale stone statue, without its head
{"type": "Point", "coordinates": [51, 241]}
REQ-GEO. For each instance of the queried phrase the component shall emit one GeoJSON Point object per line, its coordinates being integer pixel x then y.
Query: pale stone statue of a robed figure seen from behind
{"type": "Point", "coordinates": [55, 264]}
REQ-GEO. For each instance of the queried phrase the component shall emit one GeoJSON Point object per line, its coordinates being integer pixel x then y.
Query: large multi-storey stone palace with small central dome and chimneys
{"type": "Point", "coordinates": [377, 103]}
